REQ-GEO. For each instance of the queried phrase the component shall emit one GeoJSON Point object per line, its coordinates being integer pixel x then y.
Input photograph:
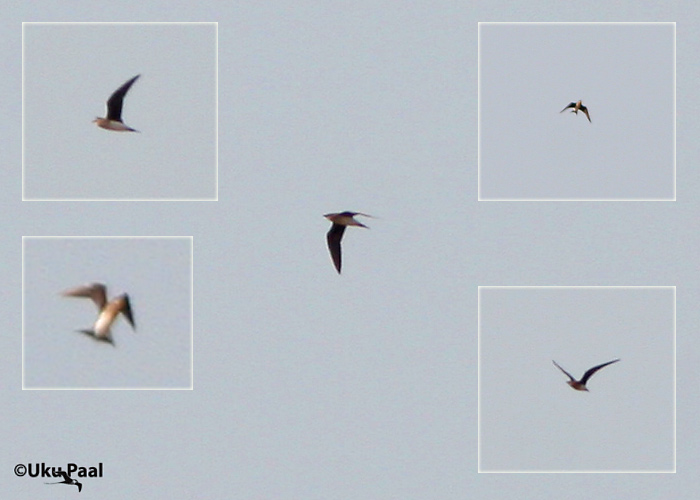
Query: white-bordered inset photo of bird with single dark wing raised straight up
{"type": "Point", "coordinates": [119, 111]}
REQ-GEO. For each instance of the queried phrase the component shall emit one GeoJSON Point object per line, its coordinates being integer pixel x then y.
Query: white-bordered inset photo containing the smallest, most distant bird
{"type": "Point", "coordinates": [577, 111]}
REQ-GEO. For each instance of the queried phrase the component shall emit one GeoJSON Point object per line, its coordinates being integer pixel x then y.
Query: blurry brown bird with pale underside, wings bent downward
{"type": "Point", "coordinates": [107, 311]}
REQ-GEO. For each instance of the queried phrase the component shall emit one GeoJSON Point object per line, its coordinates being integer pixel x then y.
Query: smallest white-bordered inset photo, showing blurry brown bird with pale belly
{"type": "Point", "coordinates": [107, 312]}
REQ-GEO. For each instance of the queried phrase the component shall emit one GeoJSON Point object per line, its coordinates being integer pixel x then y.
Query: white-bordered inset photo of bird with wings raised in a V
{"type": "Point", "coordinates": [577, 379]}
